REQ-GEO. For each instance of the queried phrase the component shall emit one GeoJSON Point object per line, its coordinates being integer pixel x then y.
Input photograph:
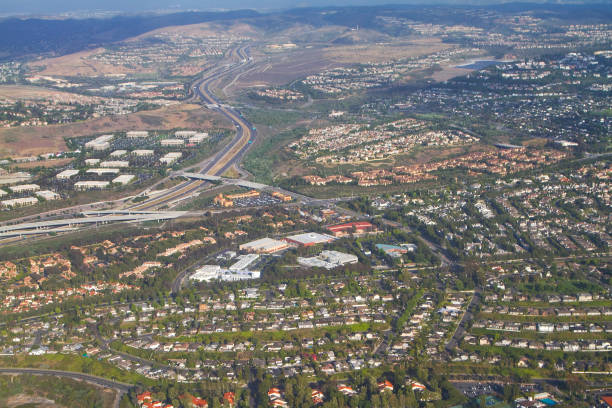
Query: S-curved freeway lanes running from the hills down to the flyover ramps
{"type": "Point", "coordinates": [230, 154]}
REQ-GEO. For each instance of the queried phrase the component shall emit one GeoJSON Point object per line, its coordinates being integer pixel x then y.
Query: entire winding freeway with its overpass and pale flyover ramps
{"type": "Point", "coordinates": [152, 207]}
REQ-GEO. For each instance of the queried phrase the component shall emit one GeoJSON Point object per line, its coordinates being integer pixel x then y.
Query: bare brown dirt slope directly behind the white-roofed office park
{"type": "Point", "coordinates": [37, 140]}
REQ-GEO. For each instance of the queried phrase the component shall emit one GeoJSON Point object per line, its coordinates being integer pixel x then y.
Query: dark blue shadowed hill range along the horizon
{"type": "Point", "coordinates": [22, 38]}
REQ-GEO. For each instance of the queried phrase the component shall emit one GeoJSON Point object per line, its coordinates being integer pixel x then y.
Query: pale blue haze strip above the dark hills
{"type": "Point", "coordinates": [8, 7]}
